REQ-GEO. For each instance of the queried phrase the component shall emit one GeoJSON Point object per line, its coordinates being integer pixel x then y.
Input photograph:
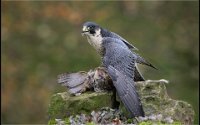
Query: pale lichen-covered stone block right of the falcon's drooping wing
{"type": "Point", "coordinates": [155, 100]}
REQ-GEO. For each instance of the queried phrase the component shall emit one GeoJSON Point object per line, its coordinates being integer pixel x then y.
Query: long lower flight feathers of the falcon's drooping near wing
{"type": "Point", "coordinates": [127, 92]}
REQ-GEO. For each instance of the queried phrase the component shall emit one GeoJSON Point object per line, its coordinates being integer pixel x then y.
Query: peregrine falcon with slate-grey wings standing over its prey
{"type": "Point", "coordinates": [120, 63]}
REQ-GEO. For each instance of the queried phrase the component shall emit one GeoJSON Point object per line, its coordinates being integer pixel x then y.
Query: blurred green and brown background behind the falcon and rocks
{"type": "Point", "coordinates": [43, 39]}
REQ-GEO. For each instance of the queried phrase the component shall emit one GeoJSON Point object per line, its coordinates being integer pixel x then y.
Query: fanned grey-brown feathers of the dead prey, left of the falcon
{"type": "Point", "coordinates": [72, 80]}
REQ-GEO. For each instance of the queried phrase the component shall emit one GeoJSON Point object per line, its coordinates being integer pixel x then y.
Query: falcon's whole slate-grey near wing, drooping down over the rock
{"type": "Point", "coordinates": [120, 63]}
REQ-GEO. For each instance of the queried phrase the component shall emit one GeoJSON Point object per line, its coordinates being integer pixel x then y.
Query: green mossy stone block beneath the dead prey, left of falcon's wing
{"type": "Point", "coordinates": [63, 104]}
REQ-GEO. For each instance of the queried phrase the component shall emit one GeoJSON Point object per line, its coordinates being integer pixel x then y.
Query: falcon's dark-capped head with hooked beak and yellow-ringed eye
{"type": "Point", "coordinates": [91, 29]}
